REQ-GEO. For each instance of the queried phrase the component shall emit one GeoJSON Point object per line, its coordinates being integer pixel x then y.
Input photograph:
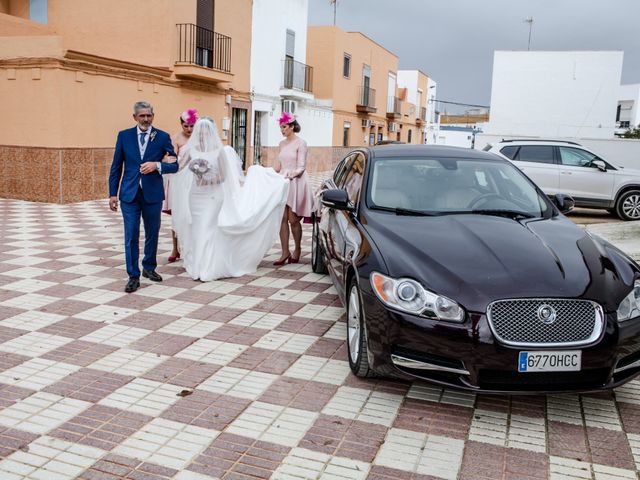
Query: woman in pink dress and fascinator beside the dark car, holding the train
{"type": "Point", "coordinates": [293, 164]}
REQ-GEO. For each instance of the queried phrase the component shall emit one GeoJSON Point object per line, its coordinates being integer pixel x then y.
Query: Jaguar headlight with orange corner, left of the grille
{"type": "Point", "coordinates": [409, 296]}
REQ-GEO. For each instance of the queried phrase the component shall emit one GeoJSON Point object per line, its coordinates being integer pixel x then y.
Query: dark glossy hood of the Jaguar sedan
{"type": "Point", "coordinates": [476, 259]}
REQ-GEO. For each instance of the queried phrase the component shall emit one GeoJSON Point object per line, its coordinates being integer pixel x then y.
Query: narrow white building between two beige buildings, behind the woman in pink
{"type": "Point", "coordinates": [280, 78]}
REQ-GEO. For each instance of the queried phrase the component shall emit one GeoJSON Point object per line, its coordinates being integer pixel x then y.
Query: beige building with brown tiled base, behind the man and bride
{"type": "Point", "coordinates": [70, 71]}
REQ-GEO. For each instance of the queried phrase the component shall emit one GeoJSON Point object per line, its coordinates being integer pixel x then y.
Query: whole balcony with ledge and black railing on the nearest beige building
{"type": "Point", "coordinates": [203, 54]}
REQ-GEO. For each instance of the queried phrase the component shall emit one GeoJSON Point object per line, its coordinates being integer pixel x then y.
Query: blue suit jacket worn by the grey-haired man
{"type": "Point", "coordinates": [126, 165]}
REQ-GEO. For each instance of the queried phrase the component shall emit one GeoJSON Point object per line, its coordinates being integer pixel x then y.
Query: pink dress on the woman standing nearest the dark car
{"type": "Point", "coordinates": [293, 164]}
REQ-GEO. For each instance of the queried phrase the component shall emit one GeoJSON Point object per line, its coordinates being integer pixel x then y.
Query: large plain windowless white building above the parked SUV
{"type": "Point", "coordinates": [555, 94]}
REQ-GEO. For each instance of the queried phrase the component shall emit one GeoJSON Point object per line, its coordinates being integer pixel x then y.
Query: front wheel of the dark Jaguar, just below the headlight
{"type": "Point", "coordinates": [356, 339]}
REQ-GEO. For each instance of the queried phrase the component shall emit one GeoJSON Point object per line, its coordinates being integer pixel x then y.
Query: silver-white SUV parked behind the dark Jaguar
{"type": "Point", "coordinates": [568, 167]}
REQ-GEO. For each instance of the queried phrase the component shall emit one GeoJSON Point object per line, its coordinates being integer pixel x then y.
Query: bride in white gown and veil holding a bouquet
{"type": "Point", "coordinates": [225, 222]}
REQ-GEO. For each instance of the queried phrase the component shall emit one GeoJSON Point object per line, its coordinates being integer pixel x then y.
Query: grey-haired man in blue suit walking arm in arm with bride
{"type": "Point", "coordinates": [137, 170]}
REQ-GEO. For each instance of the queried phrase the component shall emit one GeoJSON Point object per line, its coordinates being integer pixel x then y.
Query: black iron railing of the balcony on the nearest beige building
{"type": "Point", "coordinates": [199, 46]}
